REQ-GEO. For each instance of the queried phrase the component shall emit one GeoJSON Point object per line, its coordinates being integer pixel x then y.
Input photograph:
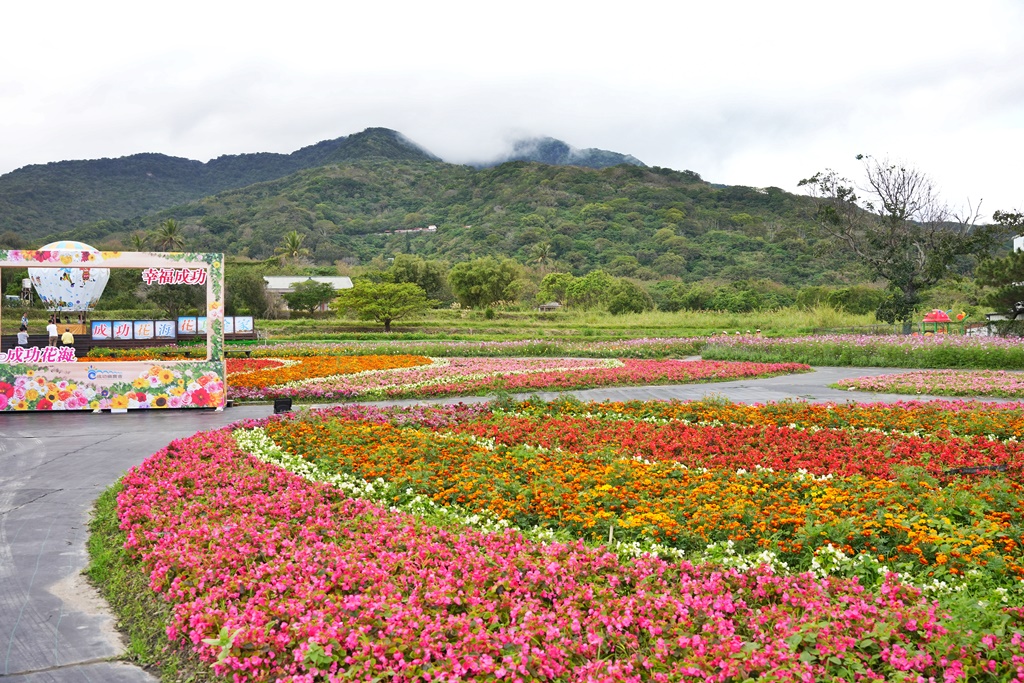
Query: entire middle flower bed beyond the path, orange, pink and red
{"type": "Point", "coordinates": [380, 377]}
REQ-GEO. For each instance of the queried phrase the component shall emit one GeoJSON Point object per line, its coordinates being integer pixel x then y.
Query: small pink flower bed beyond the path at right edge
{"type": "Point", "coordinates": [945, 383]}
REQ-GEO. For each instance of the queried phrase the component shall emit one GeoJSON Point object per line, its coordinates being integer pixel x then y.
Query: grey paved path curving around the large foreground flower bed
{"type": "Point", "coordinates": [54, 627]}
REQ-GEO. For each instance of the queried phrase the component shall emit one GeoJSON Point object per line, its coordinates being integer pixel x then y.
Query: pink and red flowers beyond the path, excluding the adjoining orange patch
{"type": "Point", "coordinates": [470, 376]}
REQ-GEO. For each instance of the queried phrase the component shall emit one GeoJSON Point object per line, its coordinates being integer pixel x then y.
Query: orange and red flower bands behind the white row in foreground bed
{"type": "Point", "coordinates": [898, 498]}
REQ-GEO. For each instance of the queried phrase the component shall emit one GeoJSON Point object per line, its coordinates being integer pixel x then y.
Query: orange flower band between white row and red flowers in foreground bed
{"type": "Point", "coordinates": [917, 523]}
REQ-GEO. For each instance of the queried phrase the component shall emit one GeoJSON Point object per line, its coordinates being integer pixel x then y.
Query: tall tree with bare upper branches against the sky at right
{"type": "Point", "coordinates": [900, 229]}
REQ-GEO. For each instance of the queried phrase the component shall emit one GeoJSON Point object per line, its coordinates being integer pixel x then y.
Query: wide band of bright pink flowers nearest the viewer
{"type": "Point", "coordinates": [271, 577]}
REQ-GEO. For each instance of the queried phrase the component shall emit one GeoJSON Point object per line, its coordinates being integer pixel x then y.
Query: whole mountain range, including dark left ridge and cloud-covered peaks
{"type": "Point", "coordinates": [375, 194]}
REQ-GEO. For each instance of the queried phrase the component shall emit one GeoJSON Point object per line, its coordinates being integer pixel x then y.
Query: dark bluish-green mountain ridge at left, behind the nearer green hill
{"type": "Point", "coordinates": [51, 199]}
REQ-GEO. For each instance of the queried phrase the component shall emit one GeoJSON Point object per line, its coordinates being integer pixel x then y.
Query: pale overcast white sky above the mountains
{"type": "Point", "coordinates": [744, 93]}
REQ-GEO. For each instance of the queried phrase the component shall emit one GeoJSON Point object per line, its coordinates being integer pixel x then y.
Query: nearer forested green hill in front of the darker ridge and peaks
{"type": "Point", "coordinates": [650, 224]}
